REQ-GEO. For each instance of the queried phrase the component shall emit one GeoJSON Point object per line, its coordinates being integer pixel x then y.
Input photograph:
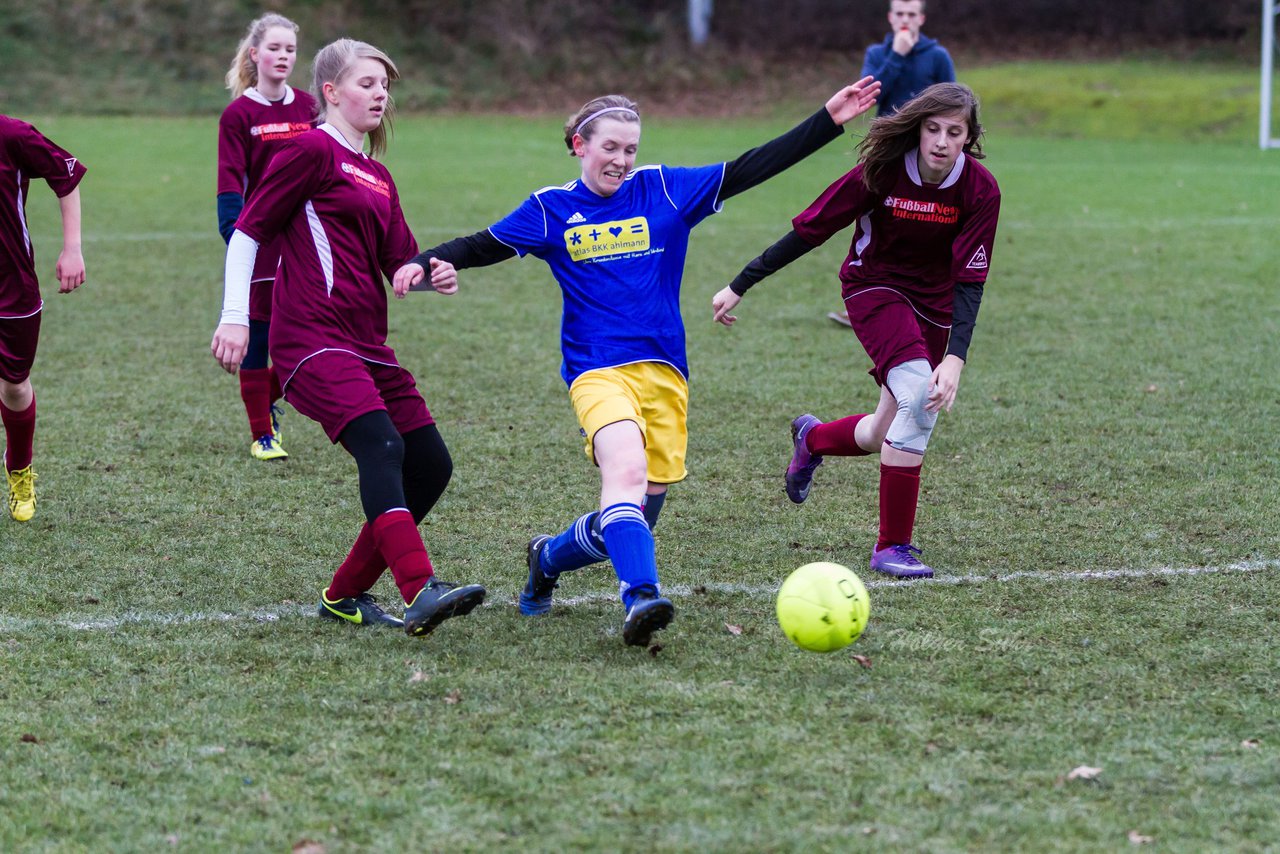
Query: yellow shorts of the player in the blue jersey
{"type": "Point", "coordinates": [655, 396]}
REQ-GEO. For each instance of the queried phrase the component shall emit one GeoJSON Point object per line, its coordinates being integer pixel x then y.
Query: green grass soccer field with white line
{"type": "Point", "coordinates": [1101, 508]}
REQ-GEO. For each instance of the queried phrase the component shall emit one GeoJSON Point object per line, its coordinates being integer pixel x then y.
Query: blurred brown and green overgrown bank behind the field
{"type": "Point", "coordinates": [170, 56]}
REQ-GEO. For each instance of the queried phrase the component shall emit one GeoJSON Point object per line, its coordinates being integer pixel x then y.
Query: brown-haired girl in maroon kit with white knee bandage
{"type": "Point", "coordinates": [925, 213]}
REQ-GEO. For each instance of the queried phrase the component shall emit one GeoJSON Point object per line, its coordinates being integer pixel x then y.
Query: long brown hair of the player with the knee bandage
{"type": "Point", "coordinates": [893, 136]}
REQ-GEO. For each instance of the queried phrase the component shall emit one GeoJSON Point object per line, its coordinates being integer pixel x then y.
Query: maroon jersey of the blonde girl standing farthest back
{"type": "Point", "coordinates": [250, 133]}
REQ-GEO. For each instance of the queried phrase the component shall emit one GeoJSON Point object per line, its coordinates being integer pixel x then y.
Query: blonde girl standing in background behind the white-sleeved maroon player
{"type": "Point", "coordinates": [266, 113]}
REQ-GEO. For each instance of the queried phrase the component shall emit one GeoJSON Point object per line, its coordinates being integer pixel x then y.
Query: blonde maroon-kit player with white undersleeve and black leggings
{"type": "Point", "coordinates": [336, 211]}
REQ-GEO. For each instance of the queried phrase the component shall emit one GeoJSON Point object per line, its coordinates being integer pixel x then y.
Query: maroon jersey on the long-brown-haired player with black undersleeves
{"type": "Point", "coordinates": [918, 239]}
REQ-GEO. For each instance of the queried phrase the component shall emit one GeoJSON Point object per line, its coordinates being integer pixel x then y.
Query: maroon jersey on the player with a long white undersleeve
{"type": "Point", "coordinates": [340, 220]}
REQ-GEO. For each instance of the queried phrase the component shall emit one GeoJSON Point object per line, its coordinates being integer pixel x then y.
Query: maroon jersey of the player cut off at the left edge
{"type": "Point", "coordinates": [26, 154]}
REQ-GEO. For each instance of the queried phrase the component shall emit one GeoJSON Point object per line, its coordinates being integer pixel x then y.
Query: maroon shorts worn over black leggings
{"type": "Point", "coordinates": [333, 389]}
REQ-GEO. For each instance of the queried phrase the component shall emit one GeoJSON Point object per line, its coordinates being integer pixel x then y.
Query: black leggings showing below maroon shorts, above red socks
{"type": "Point", "coordinates": [397, 471]}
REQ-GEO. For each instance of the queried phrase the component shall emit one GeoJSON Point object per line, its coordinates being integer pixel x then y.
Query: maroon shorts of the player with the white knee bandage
{"type": "Point", "coordinates": [893, 332]}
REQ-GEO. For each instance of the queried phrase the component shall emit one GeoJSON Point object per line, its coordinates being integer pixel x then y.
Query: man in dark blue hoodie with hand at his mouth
{"type": "Point", "coordinates": [907, 63]}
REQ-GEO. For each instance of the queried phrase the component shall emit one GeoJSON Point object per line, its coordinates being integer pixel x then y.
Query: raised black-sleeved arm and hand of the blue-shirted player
{"type": "Point", "coordinates": [762, 163]}
